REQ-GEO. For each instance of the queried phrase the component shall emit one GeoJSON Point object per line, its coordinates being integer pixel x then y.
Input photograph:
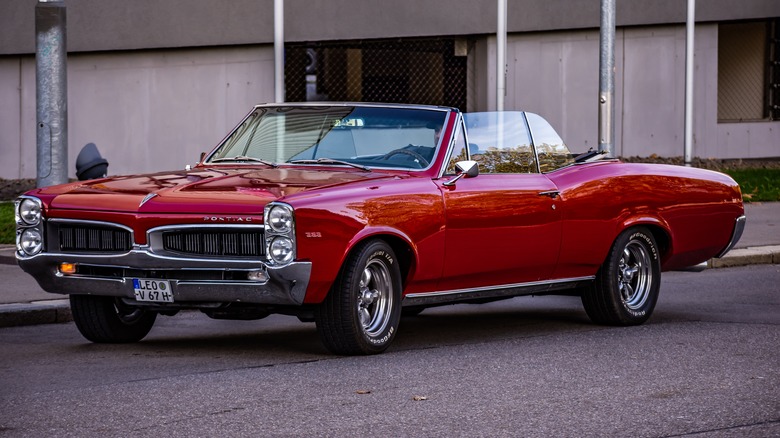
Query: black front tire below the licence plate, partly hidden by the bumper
{"type": "Point", "coordinates": [108, 320]}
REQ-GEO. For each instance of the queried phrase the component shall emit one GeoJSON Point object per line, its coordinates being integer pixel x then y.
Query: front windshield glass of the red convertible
{"type": "Point", "coordinates": [388, 137]}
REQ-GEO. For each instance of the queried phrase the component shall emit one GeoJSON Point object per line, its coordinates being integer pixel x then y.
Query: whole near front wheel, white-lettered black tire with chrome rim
{"type": "Point", "coordinates": [361, 313]}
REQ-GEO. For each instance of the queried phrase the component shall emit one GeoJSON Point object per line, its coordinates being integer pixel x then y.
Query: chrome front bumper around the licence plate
{"type": "Point", "coordinates": [284, 285]}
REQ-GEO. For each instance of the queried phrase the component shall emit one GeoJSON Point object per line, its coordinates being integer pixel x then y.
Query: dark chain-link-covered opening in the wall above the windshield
{"type": "Point", "coordinates": [419, 71]}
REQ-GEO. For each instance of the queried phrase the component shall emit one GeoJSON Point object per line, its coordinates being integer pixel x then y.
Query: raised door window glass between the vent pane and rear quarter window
{"type": "Point", "coordinates": [500, 142]}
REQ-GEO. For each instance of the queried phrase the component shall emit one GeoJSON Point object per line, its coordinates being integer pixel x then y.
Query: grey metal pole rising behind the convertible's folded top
{"type": "Point", "coordinates": [607, 77]}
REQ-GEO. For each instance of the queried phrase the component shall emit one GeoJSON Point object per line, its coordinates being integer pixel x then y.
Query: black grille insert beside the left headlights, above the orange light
{"type": "Point", "coordinates": [93, 238]}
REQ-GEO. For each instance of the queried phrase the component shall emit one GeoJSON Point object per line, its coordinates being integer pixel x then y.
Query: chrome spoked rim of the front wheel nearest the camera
{"type": "Point", "coordinates": [375, 298]}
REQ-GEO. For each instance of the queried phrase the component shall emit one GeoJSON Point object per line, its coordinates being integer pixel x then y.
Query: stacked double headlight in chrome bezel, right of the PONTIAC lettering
{"type": "Point", "coordinates": [279, 223]}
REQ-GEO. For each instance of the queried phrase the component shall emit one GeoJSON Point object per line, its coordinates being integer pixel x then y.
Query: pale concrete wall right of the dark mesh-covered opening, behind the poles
{"type": "Point", "coordinates": [555, 74]}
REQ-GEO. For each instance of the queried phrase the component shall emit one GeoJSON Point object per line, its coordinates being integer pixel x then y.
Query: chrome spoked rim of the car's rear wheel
{"type": "Point", "coordinates": [635, 275]}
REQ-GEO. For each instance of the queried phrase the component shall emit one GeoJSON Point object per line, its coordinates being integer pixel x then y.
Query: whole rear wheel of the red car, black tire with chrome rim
{"type": "Point", "coordinates": [626, 288]}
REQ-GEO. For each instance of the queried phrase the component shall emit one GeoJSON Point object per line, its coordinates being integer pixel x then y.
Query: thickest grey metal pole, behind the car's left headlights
{"type": "Point", "coordinates": [51, 91]}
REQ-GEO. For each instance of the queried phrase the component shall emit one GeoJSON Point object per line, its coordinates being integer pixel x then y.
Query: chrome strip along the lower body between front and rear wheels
{"type": "Point", "coordinates": [494, 292]}
